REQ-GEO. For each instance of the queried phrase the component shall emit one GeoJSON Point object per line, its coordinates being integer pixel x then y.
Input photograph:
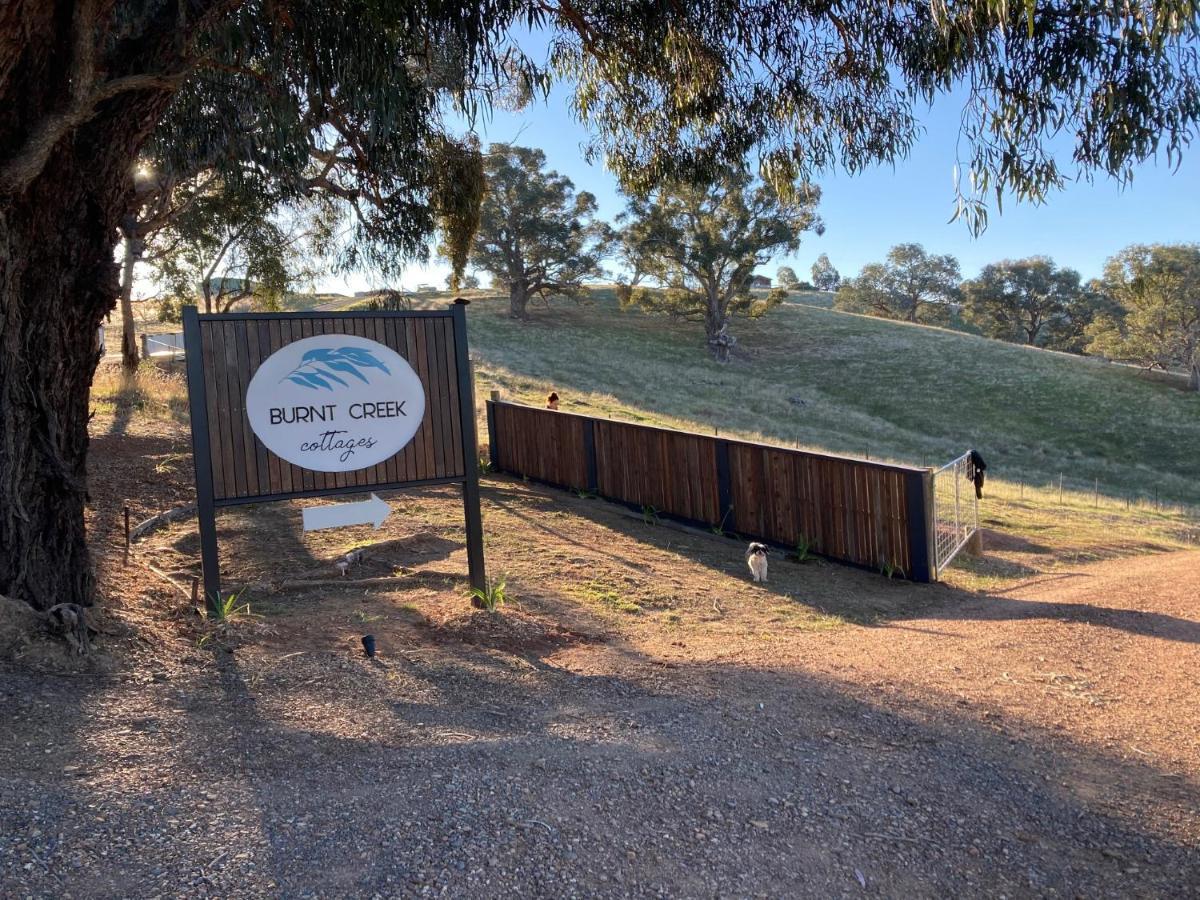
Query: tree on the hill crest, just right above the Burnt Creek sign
{"type": "Point", "coordinates": [537, 237]}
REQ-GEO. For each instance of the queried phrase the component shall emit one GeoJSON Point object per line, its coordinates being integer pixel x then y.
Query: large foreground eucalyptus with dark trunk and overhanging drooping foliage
{"type": "Point", "coordinates": [281, 89]}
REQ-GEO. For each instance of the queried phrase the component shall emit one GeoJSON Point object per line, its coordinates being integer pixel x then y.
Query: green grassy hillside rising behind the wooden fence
{"type": "Point", "coordinates": [859, 386]}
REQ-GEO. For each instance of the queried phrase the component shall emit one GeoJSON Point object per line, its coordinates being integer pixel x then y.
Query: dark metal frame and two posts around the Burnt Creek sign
{"type": "Point", "coordinates": [207, 501]}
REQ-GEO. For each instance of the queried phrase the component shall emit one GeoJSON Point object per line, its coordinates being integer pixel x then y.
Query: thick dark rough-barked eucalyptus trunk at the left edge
{"type": "Point", "coordinates": [61, 209]}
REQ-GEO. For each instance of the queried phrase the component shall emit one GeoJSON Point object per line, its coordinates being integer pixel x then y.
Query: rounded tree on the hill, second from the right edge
{"type": "Point", "coordinates": [1030, 302]}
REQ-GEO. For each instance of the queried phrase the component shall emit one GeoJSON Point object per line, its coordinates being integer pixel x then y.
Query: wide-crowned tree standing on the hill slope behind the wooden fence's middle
{"type": "Point", "coordinates": [700, 245]}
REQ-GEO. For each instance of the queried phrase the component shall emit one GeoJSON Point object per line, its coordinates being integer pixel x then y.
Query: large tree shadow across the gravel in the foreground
{"type": "Point", "coordinates": [475, 773]}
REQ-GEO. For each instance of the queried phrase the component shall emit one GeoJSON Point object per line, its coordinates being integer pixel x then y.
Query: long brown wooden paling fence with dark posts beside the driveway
{"type": "Point", "coordinates": [869, 514]}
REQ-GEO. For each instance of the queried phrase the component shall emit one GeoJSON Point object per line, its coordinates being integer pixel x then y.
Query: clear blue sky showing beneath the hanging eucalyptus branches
{"type": "Point", "coordinates": [867, 214]}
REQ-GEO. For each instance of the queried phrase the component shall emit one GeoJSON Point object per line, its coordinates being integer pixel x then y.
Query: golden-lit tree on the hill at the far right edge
{"type": "Point", "coordinates": [1157, 290]}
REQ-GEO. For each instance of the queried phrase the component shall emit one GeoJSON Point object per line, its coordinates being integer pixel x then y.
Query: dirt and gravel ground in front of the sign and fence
{"type": "Point", "coordinates": [639, 721]}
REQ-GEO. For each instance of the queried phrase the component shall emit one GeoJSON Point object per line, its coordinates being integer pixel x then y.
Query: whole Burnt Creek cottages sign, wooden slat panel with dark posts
{"type": "Point", "coordinates": [308, 405]}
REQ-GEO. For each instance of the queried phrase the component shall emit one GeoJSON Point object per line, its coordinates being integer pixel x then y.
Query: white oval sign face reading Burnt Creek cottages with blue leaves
{"type": "Point", "coordinates": [335, 403]}
